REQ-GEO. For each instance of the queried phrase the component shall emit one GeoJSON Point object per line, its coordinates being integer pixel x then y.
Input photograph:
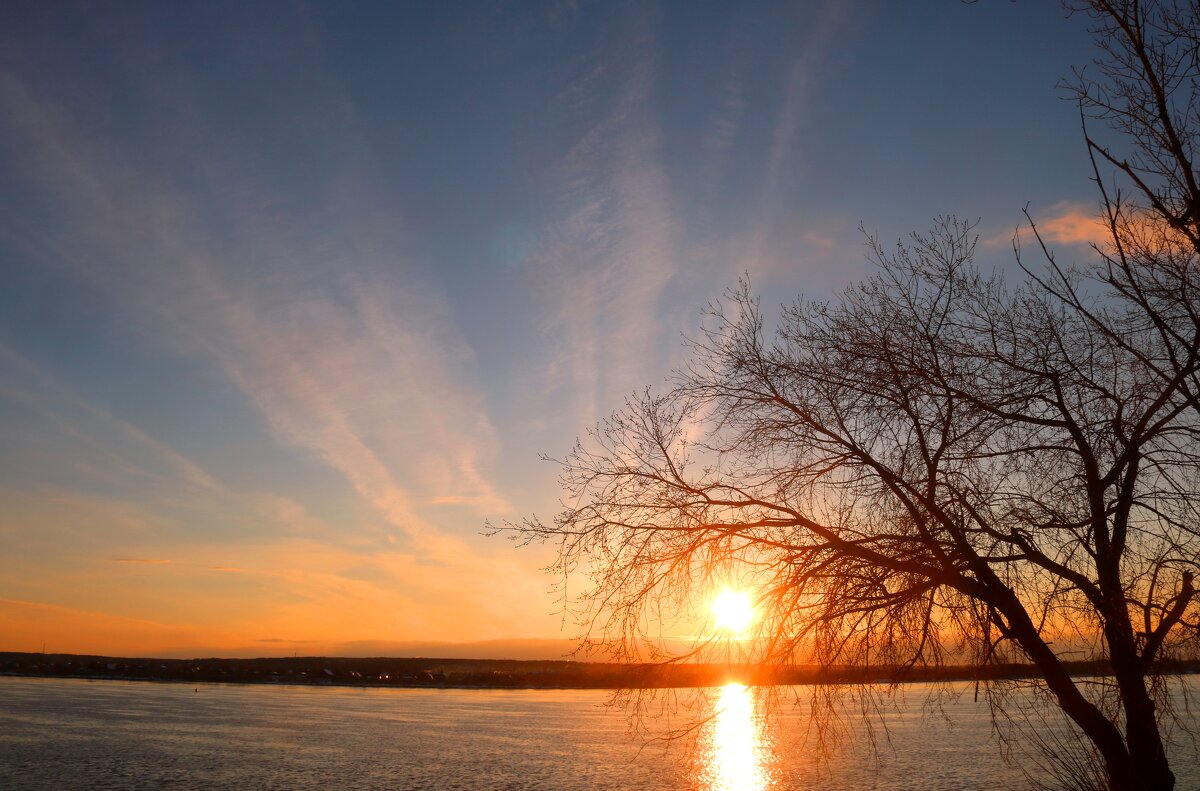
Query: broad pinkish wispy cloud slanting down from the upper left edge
{"type": "Point", "coordinates": [350, 355]}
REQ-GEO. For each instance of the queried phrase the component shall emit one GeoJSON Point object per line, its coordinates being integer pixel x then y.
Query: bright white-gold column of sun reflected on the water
{"type": "Point", "coordinates": [734, 757]}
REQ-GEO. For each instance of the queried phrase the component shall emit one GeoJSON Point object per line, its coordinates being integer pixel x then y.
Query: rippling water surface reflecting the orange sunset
{"type": "Point", "coordinates": [69, 734]}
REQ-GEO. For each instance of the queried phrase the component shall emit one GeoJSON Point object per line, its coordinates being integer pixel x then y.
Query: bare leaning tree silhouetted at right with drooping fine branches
{"type": "Point", "coordinates": [941, 466]}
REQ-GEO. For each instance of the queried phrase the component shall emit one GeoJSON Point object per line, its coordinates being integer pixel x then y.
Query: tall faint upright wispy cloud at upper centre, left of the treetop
{"type": "Point", "coordinates": [609, 255]}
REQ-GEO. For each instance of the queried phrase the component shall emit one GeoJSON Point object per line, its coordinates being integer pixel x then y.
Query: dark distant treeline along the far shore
{"type": "Point", "coordinates": [419, 672]}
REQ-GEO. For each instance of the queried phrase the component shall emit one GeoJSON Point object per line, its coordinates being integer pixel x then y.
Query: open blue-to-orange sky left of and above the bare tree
{"type": "Point", "coordinates": [293, 296]}
